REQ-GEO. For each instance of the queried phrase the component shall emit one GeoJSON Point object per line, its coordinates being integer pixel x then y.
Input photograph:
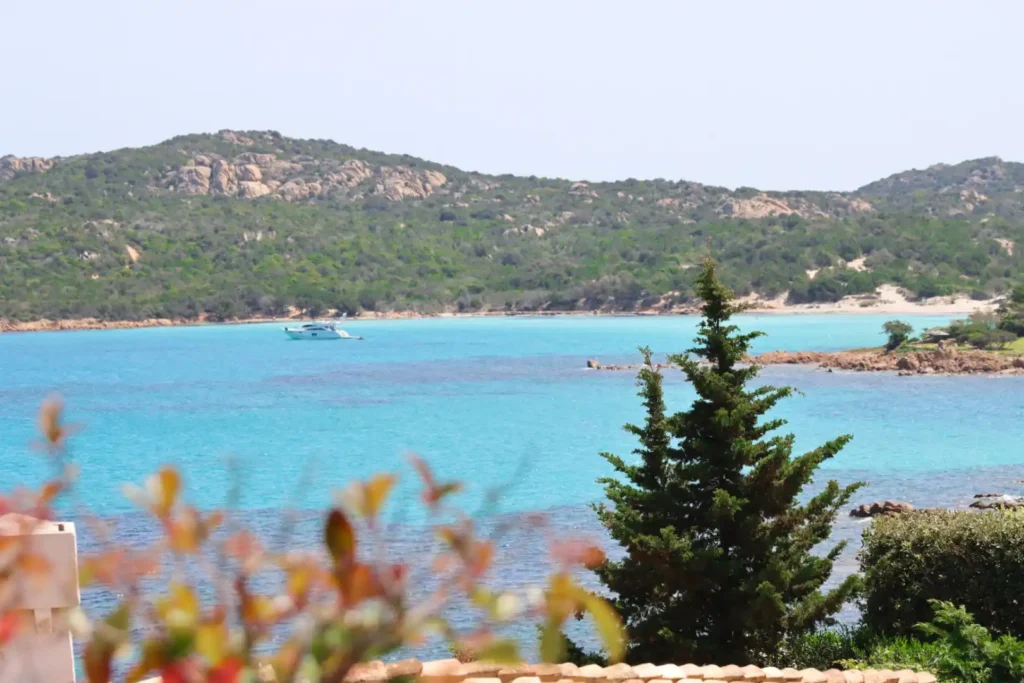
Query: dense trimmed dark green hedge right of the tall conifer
{"type": "Point", "coordinates": [973, 560]}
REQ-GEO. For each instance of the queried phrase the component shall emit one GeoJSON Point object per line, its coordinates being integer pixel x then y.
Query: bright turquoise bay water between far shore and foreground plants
{"type": "Point", "coordinates": [501, 403]}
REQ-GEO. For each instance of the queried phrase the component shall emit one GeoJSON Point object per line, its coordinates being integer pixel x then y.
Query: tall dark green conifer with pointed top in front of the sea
{"type": "Point", "coordinates": [718, 565]}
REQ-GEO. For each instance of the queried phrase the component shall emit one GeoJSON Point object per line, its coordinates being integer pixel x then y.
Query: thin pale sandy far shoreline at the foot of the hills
{"type": "Point", "coordinates": [888, 302]}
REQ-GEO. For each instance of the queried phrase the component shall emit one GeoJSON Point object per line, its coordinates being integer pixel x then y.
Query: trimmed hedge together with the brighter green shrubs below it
{"type": "Point", "coordinates": [942, 594]}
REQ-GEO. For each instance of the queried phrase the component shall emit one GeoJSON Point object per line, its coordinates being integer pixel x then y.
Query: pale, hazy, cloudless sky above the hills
{"type": "Point", "coordinates": [776, 95]}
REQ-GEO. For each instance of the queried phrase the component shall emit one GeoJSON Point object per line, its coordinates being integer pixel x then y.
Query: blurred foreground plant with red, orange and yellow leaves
{"type": "Point", "coordinates": [334, 609]}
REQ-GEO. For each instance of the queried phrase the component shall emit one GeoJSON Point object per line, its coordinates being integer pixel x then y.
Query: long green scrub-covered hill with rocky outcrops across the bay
{"type": "Point", "coordinates": [250, 224]}
